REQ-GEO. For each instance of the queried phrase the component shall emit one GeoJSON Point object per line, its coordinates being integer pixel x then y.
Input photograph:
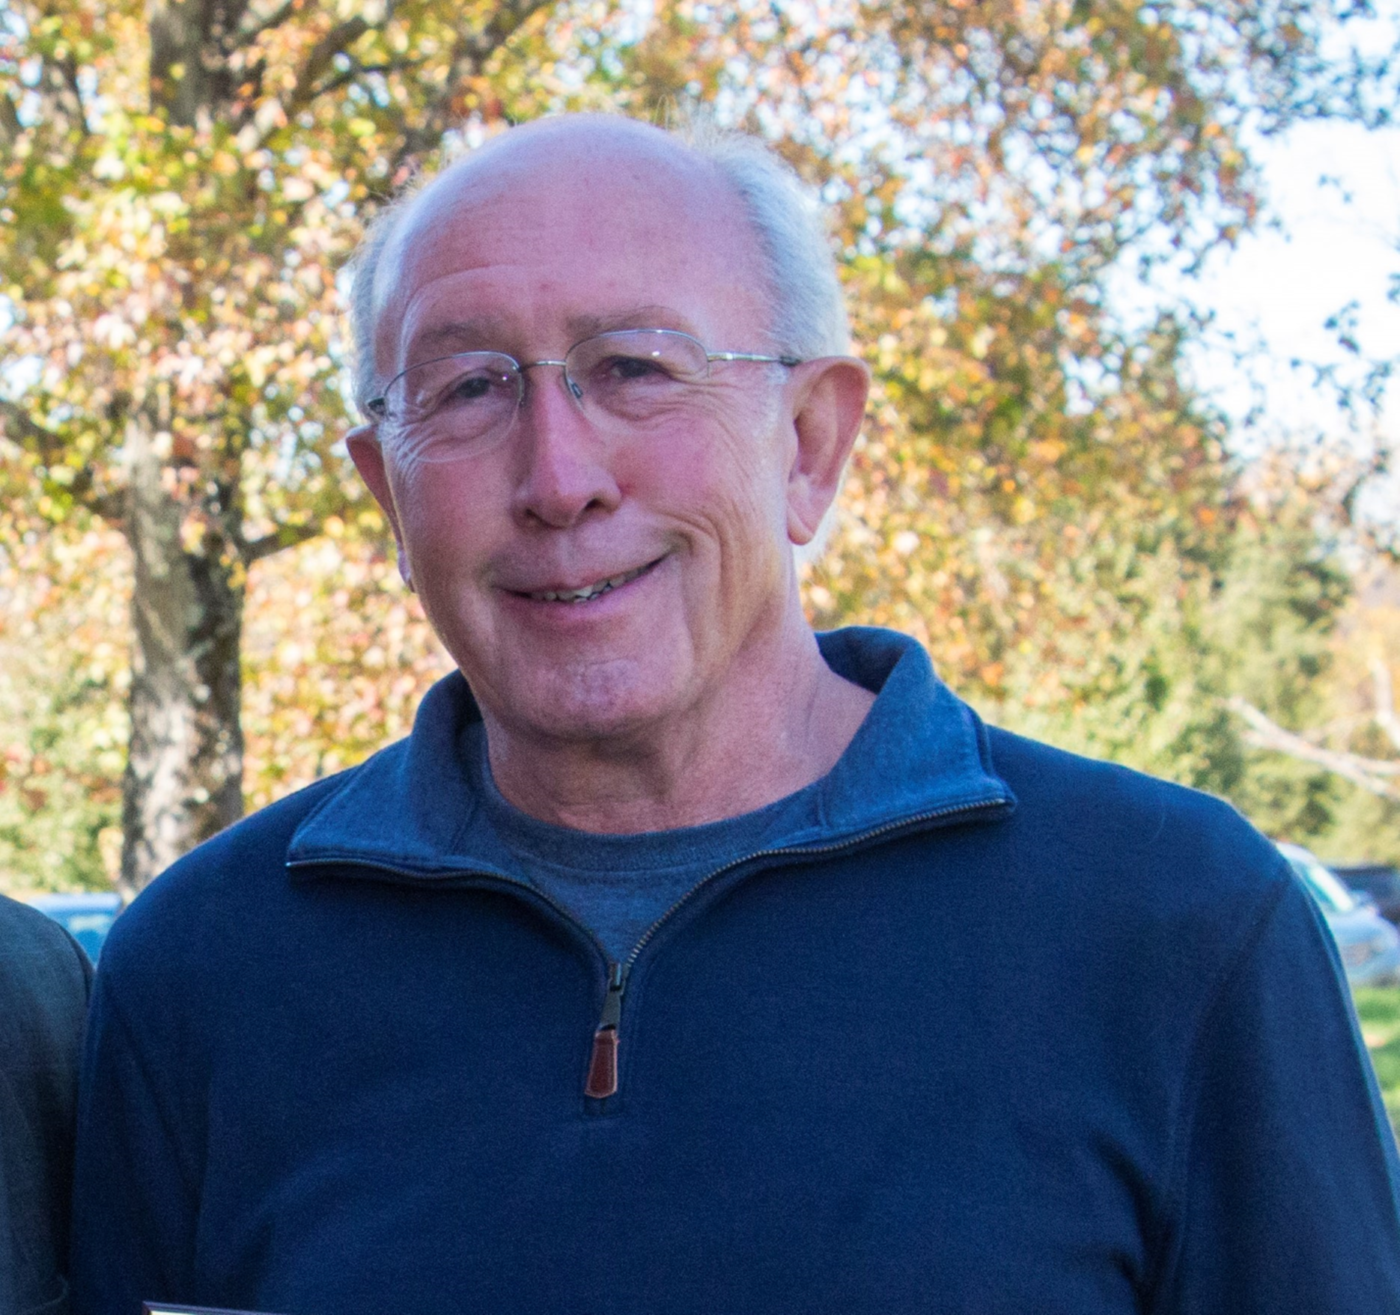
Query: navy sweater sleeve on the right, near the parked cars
{"type": "Point", "coordinates": [1287, 1178]}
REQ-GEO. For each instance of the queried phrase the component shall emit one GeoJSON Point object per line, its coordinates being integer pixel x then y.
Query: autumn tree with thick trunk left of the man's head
{"type": "Point", "coordinates": [181, 183]}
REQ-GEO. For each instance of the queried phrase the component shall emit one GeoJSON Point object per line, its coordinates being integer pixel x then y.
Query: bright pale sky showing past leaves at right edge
{"type": "Point", "coordinates": [1328, 246]}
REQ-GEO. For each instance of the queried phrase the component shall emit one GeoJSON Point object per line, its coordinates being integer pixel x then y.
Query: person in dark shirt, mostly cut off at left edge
{"type": "Point", "coordinates": [44, 985]}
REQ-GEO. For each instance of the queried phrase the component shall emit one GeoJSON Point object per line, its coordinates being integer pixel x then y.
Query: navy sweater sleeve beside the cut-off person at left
{"type": "Point", "coordinates": [135, 1199]}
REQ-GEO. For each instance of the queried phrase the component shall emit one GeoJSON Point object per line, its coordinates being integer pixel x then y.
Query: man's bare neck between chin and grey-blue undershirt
{"type": "Point", "coordinates": [752, 743]}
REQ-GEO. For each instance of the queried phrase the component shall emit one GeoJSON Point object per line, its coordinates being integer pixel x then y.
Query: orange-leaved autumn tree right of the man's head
{"type": "Point", "coordinates": [1038, 491]}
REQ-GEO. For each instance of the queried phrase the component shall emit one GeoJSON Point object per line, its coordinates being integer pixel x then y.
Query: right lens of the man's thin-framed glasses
{"type": "Point", "coordinates": [638, 375]}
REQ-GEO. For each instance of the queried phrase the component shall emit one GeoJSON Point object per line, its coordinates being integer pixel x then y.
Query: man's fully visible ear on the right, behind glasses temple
{"type": "Point", "coordinates": [828, 412]}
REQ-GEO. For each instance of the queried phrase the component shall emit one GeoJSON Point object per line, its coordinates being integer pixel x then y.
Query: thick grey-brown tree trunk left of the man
{"type": "Point", "coordinates": [184, 772]}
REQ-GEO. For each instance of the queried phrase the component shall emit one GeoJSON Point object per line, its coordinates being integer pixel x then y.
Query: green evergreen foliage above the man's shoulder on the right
{"type": "Point", "coordinates": [1252, 617]}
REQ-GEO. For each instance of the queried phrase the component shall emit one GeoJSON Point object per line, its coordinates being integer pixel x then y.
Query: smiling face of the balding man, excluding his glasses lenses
{"type": "Point", "coordinates": [688, 517]}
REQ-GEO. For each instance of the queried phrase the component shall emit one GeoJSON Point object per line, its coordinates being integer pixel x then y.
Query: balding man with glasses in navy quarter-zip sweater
{"type": "Point", "coordinates": [681, 960]}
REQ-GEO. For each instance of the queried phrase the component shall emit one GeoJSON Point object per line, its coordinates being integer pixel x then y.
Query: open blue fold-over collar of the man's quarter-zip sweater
{"type": "Point", "coordinates": [922, 753]}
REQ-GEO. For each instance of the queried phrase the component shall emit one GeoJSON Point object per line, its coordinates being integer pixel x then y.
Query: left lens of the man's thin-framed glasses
{"type": "Point", "coordinates": [454, 407]}
